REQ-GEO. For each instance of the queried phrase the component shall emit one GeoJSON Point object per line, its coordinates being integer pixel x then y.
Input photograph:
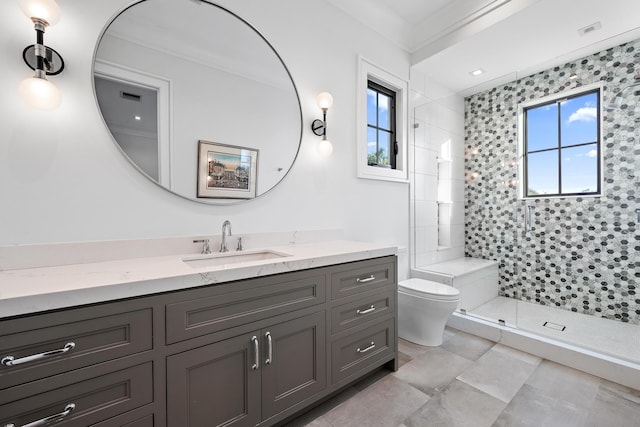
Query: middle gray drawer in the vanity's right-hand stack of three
{"type": "Point", "coordinates": [363, 310]}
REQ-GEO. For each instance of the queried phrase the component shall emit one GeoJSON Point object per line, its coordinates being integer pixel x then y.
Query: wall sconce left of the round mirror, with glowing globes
{"type": "Point", "coordinates": [37, 91]}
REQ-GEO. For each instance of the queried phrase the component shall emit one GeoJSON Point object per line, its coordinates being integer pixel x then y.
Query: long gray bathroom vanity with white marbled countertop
{"type": "Point", "coordinates": [250, 343]}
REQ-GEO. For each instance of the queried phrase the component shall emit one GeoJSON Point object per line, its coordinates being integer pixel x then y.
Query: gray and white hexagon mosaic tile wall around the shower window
{"type": "Point", "coordinates": [582, 254]}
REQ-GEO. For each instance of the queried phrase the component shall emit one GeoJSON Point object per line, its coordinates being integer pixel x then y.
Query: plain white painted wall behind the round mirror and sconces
{"type": "Point", "coordinates": [62, 178]}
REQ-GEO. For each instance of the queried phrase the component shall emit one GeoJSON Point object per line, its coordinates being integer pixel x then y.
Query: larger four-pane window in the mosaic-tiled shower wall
{"type": "Point", "coordinates": [562, 145]}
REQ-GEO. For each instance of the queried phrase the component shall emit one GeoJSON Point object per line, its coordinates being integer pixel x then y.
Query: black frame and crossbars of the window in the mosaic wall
{"type": "Point", "coordinates": [559, 147]}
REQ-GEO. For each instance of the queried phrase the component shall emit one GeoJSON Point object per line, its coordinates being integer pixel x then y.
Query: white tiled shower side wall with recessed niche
{"type": "Point", "coordinates": [437, 228]}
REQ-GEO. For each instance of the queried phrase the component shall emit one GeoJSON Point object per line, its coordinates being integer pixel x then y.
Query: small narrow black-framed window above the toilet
{"type": "Point", "coordinates": [382, 147]}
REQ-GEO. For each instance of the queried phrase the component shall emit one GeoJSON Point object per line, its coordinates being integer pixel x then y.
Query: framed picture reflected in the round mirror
{"type": "Point", "coordinates": [226, 171]}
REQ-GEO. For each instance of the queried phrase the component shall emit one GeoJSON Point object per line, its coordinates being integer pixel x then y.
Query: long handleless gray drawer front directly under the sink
{"type": "Point", "coordinates": [207, 314]}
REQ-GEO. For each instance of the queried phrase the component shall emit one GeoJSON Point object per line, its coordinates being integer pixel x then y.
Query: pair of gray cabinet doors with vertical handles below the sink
{"type": "Point", "coordinates": [244, 380]}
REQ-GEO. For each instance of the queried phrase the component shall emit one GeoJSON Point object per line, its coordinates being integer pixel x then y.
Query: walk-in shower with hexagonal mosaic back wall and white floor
{"type": "Point", "coordinates": [568, 265]}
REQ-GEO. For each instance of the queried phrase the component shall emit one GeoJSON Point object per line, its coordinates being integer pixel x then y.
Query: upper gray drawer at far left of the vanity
{"type": "Point", "coordinates": [89, 338]}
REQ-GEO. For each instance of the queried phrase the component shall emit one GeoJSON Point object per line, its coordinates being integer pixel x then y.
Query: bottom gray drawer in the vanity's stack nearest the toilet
{"type": "Point", "coordinates": [362, 349]}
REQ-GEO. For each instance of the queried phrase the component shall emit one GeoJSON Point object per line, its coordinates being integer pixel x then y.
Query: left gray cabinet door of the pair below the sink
{"type": "Point", "coordinates": [214, 385]}
